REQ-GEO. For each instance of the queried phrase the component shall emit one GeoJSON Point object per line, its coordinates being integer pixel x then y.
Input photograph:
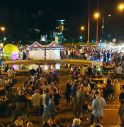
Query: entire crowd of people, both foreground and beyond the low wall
{"type": "Point", "coordinates": [40, 94]}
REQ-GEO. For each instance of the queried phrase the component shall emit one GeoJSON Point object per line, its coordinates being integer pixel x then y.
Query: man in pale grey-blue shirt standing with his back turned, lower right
{"type": "Point", "coordinates": [98, 106]}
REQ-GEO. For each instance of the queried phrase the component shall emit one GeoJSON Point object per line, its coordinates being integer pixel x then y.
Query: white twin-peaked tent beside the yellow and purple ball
{"type": "Point", "coordinates": [36, 51]}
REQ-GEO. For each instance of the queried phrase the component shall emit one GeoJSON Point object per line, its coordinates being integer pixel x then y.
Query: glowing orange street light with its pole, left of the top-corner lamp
{"type": "Point", "coordinates": [97, 16]}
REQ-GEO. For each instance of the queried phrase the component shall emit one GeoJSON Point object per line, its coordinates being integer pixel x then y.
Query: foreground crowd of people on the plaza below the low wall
{"type": "Point", "coordinates": [40, 95]}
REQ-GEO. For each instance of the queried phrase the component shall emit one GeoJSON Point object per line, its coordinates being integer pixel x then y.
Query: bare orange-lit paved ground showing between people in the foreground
{"type": "Point", "coordinates": [111, 118]}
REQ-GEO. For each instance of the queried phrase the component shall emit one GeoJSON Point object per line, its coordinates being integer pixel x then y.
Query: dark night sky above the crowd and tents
{"type": "Point", "coordinates": [21, 16]}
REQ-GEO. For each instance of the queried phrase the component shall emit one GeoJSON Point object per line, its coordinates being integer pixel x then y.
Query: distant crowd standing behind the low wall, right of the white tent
{"type": "Point", "coordinates": [91, 53]}
